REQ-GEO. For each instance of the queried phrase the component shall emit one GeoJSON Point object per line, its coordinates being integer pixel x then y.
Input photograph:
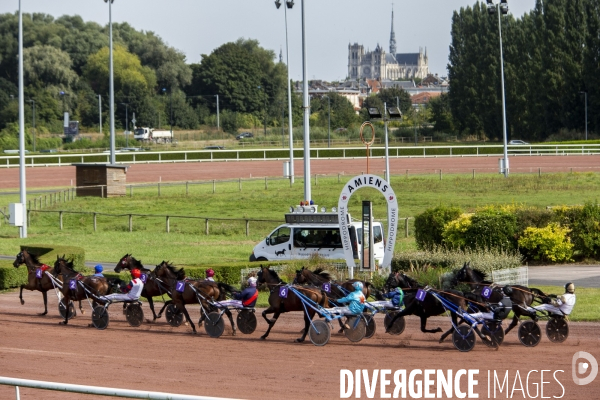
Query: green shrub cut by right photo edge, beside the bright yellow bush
{"type": "Point", "coordinates": [586, 230]}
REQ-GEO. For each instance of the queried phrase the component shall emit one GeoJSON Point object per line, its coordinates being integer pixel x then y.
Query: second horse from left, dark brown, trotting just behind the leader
{"type": "Point", "coordinates": [97, 286]}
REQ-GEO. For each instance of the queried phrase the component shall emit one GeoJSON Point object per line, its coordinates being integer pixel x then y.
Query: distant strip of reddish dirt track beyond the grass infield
{"type": "Point", "coordinates": [196, 171]}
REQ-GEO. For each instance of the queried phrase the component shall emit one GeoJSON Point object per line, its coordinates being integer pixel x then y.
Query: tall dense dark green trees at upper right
{"type": "Point", "coordinates": [551, 58]}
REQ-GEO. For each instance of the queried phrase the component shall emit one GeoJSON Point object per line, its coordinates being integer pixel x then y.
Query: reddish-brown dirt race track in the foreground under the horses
{"type": "Point", "coordinates": [160, 358]}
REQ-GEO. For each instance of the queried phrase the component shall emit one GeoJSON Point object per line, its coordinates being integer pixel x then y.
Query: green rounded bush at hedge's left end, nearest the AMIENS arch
{"type": "Point", "coordinates": [429, 226]}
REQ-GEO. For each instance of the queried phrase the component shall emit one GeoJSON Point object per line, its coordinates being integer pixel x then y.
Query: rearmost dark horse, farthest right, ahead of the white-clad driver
{"type": "Point", "coordinates": [521, 296]}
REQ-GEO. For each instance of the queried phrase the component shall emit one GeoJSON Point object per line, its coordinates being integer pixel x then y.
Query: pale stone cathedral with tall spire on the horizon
{"type": "Point", "coordinates": [380, 65]}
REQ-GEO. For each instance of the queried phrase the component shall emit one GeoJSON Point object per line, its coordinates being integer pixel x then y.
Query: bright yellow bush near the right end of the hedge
{"type": "Point", "coordinates": [550, 243]}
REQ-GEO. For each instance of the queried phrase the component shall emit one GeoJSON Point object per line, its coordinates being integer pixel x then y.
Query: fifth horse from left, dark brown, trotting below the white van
{"type": "Point", "coordinates": [278, 305]}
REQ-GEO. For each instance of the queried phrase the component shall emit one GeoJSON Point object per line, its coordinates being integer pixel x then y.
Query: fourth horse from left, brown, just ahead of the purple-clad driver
{"type": "Point", "coordinates": [194, 292]}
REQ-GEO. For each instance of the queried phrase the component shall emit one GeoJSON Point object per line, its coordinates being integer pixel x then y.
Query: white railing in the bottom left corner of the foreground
{"type": "Point", "coordinates": [98, 390]}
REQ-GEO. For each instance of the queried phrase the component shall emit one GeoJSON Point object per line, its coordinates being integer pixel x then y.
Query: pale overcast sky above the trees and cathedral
{"type": "Point", "coordinates": [199, 26]}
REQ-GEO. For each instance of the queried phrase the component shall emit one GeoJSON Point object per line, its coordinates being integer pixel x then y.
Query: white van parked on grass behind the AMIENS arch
{"type": "Point", "coordinates": [308, 232]}
